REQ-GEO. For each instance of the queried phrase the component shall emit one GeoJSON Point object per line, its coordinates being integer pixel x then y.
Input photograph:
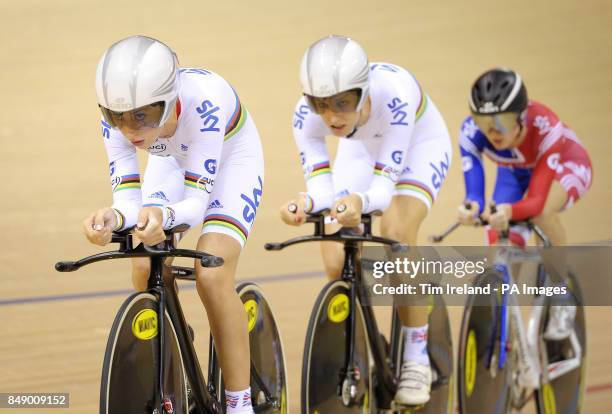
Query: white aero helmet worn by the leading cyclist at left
{"type": "Point", "coordinates": [136, 72]}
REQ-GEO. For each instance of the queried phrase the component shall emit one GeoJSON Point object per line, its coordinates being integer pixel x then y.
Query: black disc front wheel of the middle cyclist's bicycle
{"type": "Point", "coordinates": [325, 384]}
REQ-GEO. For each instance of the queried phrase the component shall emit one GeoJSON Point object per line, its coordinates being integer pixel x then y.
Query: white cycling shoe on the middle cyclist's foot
{"type": "Point", "coordinates": [414, 385]}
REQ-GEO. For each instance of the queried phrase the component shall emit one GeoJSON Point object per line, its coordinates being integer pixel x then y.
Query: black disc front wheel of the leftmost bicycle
{"type": "Point", "coordinates": [131, 362]}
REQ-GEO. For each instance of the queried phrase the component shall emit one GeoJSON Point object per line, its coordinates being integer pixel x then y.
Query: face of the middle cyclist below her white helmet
{"type": "Point", "coordinates": [339, 112]}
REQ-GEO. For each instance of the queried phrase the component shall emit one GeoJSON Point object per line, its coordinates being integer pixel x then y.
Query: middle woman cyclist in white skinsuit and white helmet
{"type": "Point", "coordinates": [393, 155]}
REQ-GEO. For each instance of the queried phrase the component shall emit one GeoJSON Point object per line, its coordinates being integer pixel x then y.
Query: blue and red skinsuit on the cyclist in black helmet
{"type": "Point", "coordinates": [550, 151]}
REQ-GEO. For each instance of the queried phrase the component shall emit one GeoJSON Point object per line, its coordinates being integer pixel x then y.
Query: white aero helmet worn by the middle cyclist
{"type": "Point", "coordinates": [333, 65]}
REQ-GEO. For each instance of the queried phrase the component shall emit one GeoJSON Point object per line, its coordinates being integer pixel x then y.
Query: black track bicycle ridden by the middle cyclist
{"type": "Point", "coordinates": [348, 366]}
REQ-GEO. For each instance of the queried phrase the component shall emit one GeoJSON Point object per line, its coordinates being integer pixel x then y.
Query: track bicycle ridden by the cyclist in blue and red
{"type": "Point", "coordinates": [501, 362]}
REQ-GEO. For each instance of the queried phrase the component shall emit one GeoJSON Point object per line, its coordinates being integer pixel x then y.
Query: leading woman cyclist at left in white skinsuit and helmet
{"type": "Point", "coordinates": [205, 166]}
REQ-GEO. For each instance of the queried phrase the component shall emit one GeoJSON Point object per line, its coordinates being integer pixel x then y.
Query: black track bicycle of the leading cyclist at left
{"type": "Point", "coordinates": [150, 364]}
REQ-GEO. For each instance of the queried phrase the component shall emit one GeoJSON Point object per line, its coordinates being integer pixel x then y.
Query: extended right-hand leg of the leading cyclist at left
{"type": "Point", "coordinates": [230, 216]}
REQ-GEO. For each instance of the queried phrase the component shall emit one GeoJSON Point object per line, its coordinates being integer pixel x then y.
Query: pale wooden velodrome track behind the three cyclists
{"type": "Point", "coordinates": [53, 326]}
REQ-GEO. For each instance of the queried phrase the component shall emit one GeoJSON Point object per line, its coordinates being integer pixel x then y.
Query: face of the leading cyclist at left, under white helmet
{"type": "Point", "coordinates": [140, 126]}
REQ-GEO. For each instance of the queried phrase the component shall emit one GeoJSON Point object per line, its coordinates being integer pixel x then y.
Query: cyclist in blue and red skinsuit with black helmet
{"type": "Point", "coordinates": [542, 170]}
